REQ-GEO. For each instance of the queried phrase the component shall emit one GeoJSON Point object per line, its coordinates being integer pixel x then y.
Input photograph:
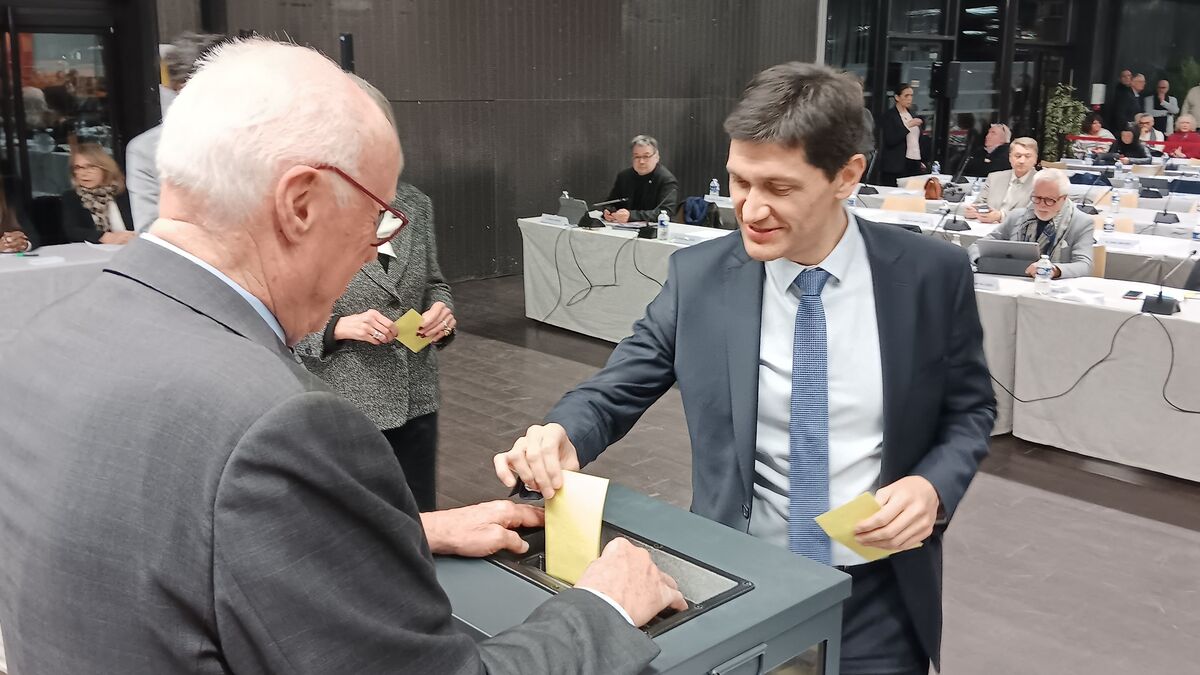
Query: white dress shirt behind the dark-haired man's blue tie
{"type": "Point", "coordinates": [855, 378]}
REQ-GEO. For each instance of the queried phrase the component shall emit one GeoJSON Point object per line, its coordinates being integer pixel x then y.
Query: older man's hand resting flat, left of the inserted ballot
{"type": "Point", "coordinates": [481, 530]}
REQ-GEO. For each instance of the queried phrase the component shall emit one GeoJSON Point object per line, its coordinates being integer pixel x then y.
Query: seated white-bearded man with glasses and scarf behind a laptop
{"type": "Point", "coordinates": [1063, 232]}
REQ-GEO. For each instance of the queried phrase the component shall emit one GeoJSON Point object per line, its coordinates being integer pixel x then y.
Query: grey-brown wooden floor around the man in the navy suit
{"type": "Point", "coordinates": [1055, 564]}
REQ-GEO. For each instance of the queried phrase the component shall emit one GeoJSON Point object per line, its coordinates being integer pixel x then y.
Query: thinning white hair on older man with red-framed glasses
{"type": "Point", "coordinates": [255, 109]}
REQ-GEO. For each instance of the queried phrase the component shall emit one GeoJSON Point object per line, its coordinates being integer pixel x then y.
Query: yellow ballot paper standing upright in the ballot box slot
{"type": "Point", "coordinates": [573, 525]}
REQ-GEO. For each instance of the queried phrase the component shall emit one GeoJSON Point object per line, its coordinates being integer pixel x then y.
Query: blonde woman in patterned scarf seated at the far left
{"type": "Point", "coordinates": [98, 210]}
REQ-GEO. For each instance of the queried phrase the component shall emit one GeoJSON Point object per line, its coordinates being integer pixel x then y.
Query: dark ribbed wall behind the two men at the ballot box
{"type": "Point", "coordinates": [505, 104]}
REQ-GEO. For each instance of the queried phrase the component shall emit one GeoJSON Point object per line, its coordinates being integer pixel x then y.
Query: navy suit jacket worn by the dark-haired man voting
{"type": "Point", "coordinates": [703, 333]}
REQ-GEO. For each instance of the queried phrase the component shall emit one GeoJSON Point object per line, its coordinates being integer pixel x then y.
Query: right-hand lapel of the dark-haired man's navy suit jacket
{"type": "Point", "coordinates": [896, 312]}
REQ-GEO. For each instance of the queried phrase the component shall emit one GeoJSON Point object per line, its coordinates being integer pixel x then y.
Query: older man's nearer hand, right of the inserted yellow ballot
{"type": "Point", "coordinates": [627, 575]}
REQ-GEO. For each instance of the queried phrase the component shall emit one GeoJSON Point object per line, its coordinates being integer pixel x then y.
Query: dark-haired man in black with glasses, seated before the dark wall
{"type": "Point", "coordinates": [647, 188]}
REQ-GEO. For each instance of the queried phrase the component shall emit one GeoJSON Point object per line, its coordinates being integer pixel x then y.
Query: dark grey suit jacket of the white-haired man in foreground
{"type": "Point", "coordinates": [185, 498]}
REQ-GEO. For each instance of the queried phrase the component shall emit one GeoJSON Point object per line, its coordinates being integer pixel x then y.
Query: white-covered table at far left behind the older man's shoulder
{"type": "Point", "coordinates": [31, 284]}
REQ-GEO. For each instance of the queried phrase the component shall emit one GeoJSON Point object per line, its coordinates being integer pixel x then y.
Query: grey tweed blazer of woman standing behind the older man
{"type": "Point", "coordinates": [388, 383]}
